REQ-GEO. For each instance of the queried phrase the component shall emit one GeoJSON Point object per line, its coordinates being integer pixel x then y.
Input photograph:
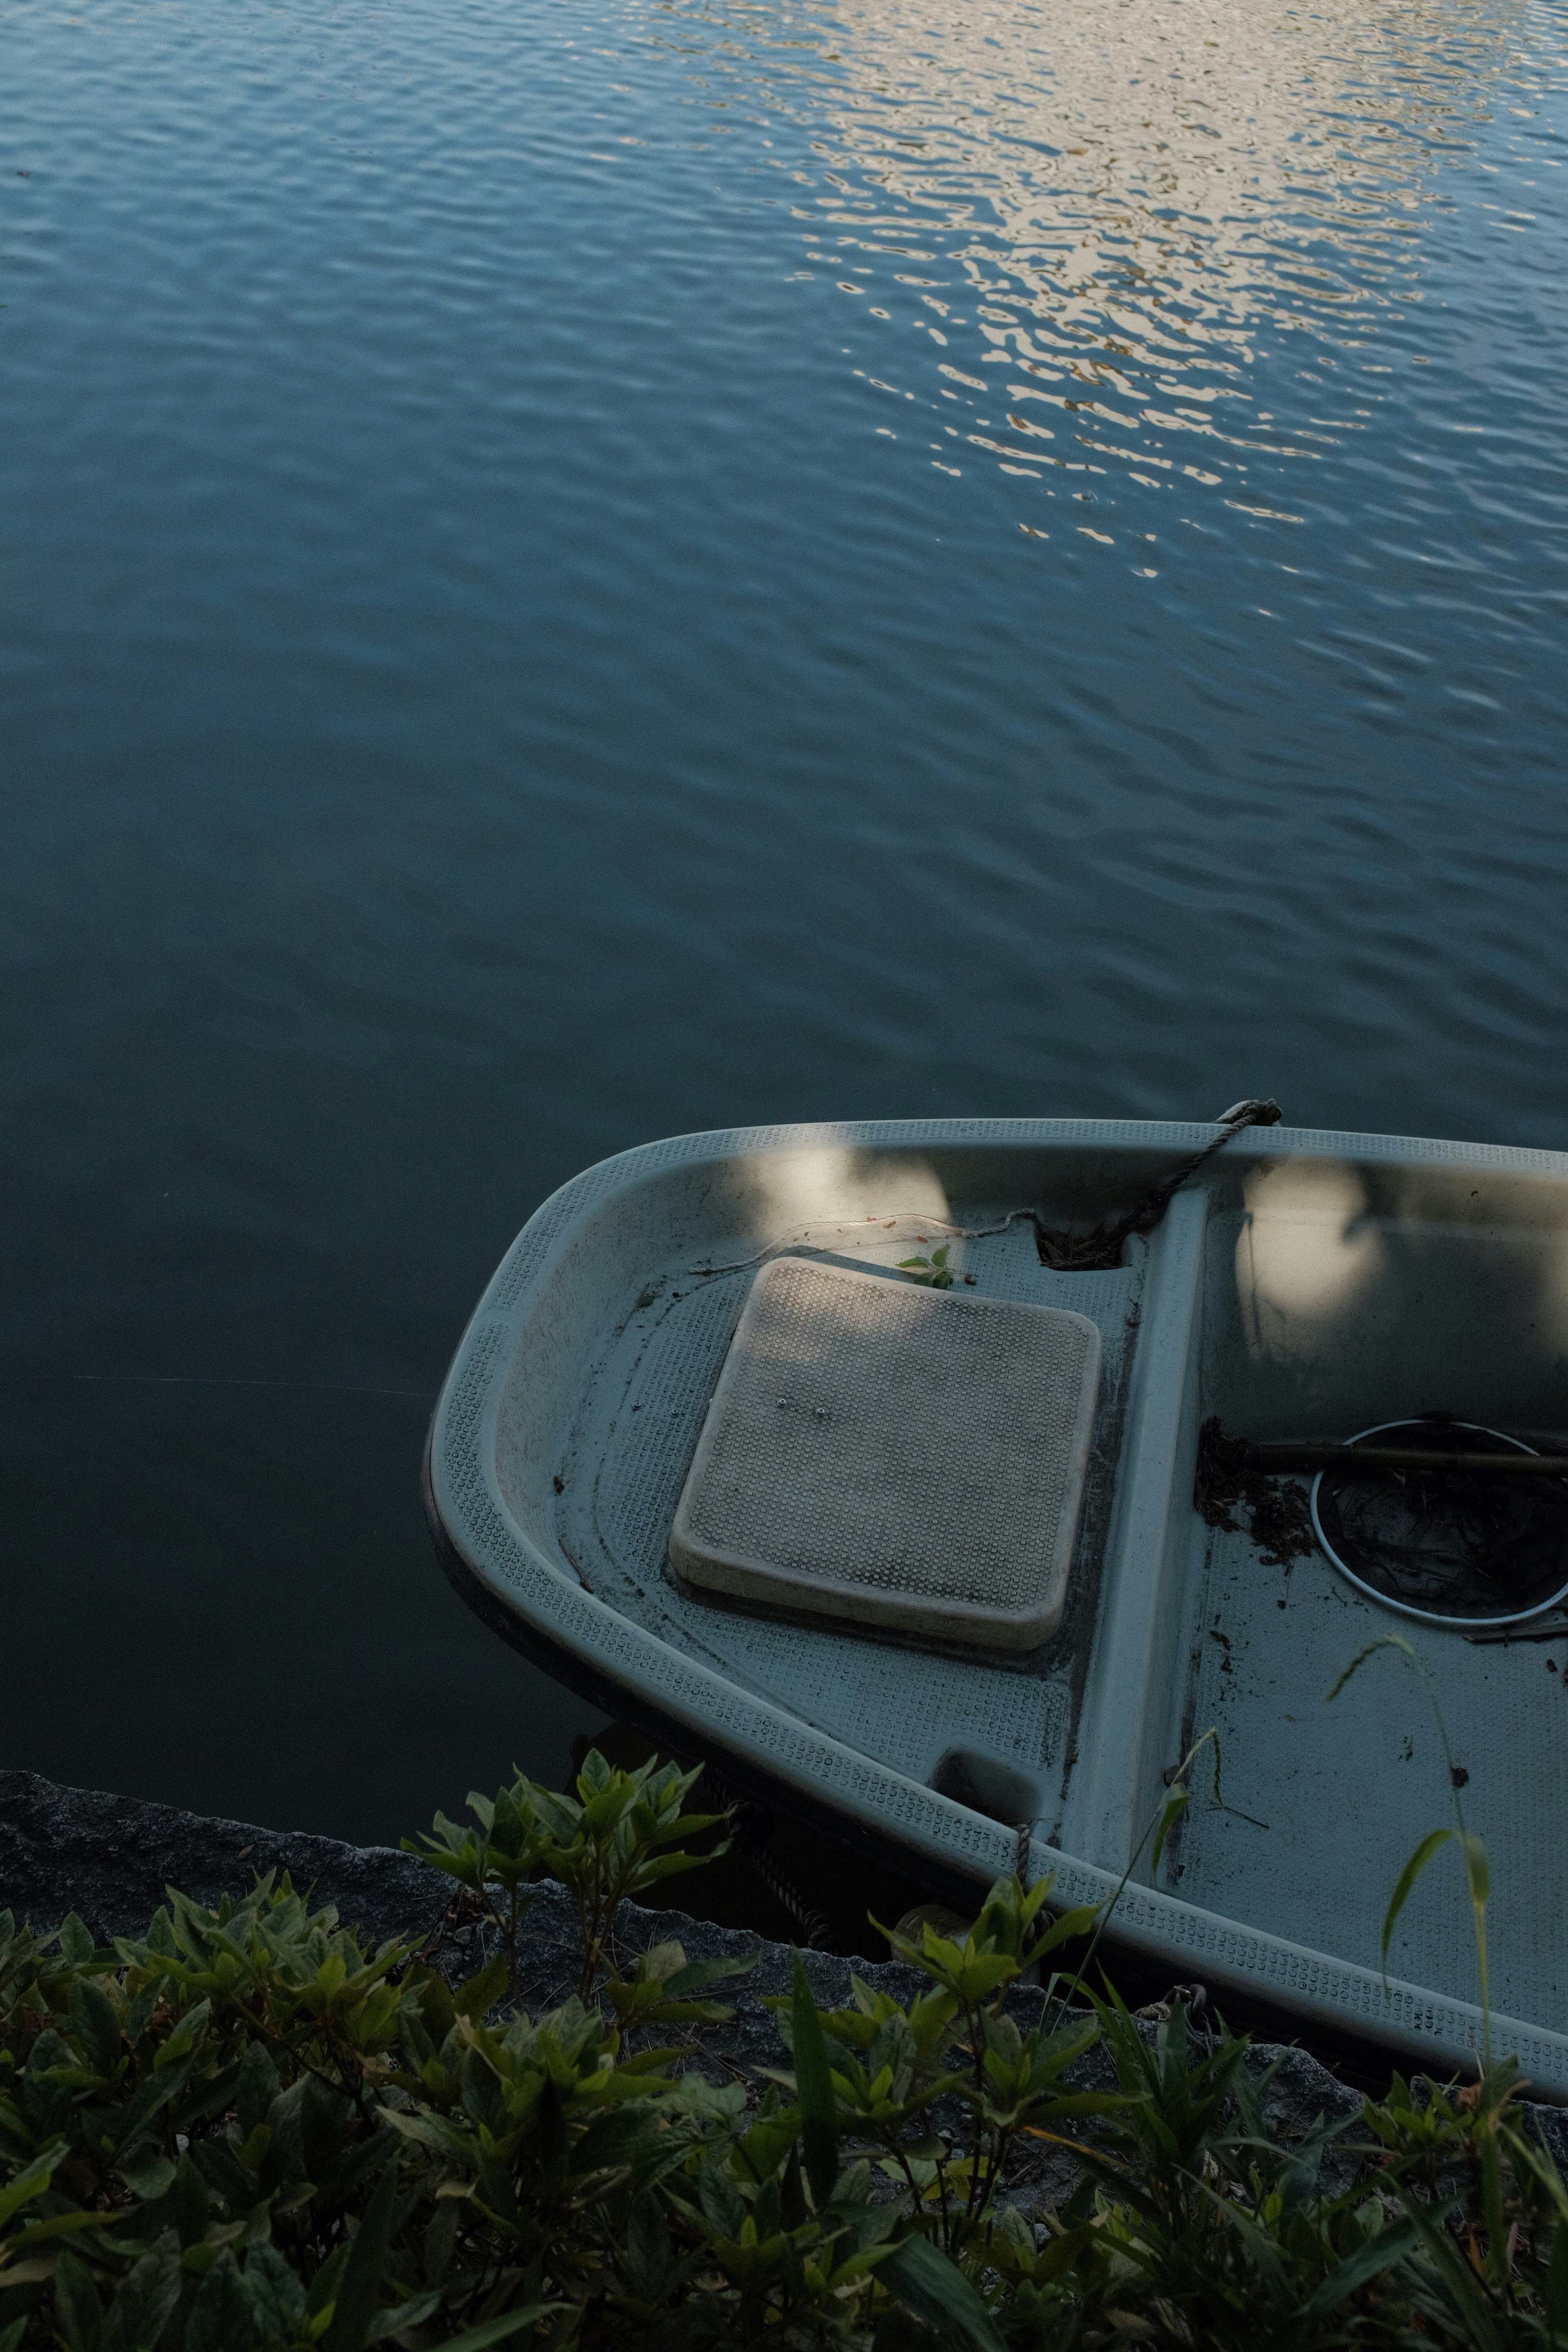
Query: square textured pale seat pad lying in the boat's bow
{"type": "Point", "coordinates": [894, 1457]}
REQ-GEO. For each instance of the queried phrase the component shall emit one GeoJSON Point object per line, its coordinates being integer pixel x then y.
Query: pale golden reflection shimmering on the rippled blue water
{"type": "Point", "coordinates": [1123, 201]}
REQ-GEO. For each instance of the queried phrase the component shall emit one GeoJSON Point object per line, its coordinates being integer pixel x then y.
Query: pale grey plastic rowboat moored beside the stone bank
{"type": "Point", "coordinates": [1306, 1285]}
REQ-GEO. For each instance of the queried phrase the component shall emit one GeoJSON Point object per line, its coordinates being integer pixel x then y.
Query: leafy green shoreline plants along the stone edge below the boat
{"type": "Point", "coordinates": [248, 2132]}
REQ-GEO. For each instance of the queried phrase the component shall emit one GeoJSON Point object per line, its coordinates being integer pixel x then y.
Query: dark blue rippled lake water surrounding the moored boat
{"type": "Point", "coordinates": [582, 573]}
